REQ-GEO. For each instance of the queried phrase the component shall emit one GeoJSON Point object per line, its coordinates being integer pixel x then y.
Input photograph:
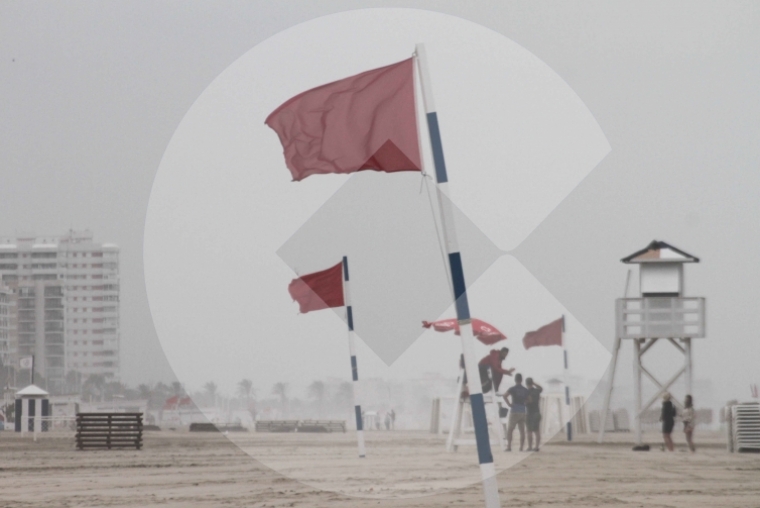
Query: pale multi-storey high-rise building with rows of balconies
{"type": "Point", "coordinates": [66, 290]}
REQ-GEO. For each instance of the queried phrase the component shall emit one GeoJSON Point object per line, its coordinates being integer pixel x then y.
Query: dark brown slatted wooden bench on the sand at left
{"type": "Point", "coordinates": [109, 431]}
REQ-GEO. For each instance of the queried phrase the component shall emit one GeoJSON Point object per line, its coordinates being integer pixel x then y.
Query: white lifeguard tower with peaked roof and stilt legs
{"type": "Point", "coordinates": [660, 313]}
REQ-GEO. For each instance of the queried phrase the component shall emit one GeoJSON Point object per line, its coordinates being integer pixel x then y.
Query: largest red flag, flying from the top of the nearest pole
{"type": "Point", "coordinates": [367, 121]}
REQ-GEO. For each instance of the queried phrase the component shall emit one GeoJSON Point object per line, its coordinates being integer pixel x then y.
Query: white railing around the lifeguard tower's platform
{"type": "Point", "coordinates": [660, 317]}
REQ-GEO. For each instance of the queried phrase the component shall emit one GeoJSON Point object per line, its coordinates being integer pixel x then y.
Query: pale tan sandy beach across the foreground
{"type": "Point", "coordinates": [205, 469]}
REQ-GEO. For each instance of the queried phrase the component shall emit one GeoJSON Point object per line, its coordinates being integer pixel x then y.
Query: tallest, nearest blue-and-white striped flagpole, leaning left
{"type": "Point", "coordinates": [487, 469]}
